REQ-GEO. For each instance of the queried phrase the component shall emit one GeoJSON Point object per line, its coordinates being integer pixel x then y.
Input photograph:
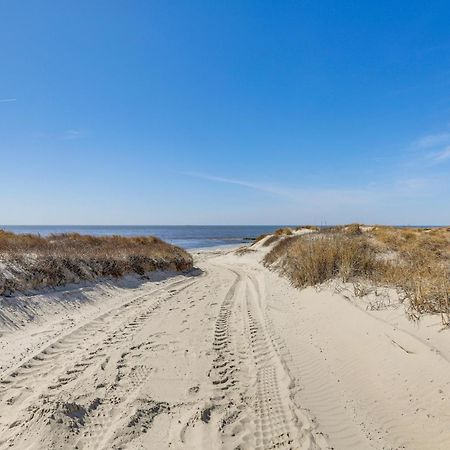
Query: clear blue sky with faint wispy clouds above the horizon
{"type": "Point", "coordinates": [237, 112]}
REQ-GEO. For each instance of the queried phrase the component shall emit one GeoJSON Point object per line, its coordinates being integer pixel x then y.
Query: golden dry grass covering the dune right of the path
{"type": "Point", "coordinates": [416, 262]}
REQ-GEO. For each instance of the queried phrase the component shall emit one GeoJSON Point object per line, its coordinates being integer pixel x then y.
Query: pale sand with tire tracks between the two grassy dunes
{"type": "Point", "coordinates": [233, 358]}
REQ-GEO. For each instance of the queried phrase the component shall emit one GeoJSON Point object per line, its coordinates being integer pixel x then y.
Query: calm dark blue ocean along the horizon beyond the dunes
{"type": "Point", "coordinates": [192, 236]}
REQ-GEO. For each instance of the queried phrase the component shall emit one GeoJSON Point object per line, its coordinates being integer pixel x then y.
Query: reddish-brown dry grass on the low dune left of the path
{"type": "Point", "coordinates": [30, 261]}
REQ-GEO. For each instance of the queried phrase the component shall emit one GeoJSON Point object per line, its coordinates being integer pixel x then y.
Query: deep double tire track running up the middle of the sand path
{"type": "Point", "coordinates": [251, 404]}
